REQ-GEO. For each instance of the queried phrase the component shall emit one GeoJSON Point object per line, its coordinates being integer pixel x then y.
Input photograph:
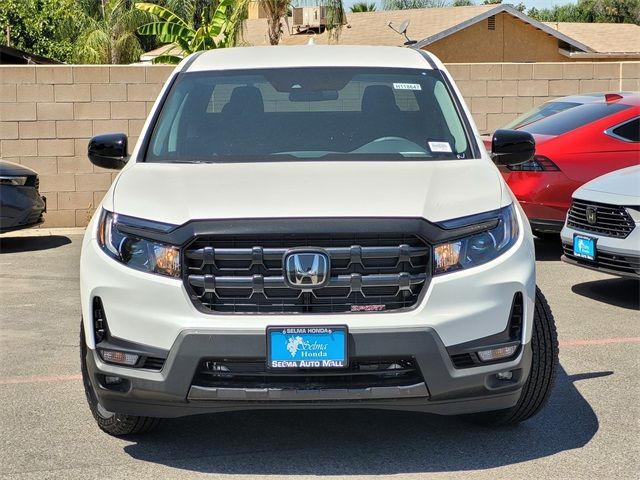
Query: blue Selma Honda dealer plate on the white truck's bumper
{"type": "Point", "coordinates": [307, 347]}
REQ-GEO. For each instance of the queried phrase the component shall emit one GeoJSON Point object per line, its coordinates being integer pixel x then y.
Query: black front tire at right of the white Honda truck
{"type": "Point", "coordinates": [544, 363]}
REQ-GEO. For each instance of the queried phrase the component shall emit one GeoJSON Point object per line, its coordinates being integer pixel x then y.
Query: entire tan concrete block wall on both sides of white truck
{"type": "Point", "coordinates": [48, 113]}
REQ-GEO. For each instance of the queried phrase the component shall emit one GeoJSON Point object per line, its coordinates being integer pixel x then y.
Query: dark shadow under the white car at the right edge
{"type": "Point", "coordinates": [619, 292]}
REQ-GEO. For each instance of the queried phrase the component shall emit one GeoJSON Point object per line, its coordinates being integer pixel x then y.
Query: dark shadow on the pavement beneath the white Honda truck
{"type": "Point", "coordinates": [365, 442]}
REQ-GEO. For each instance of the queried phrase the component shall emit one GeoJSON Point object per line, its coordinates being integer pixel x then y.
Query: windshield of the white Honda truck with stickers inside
{"type": "Point", "coordinates": [308, 113]}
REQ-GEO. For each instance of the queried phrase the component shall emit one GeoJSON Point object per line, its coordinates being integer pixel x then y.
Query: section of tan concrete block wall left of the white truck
{"type": "Point", "coordinates": [48, 114]}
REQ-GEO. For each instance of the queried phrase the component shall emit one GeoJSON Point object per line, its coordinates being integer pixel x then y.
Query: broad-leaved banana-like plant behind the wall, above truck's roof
{"type": "Point", "coordinates": [214, 31]}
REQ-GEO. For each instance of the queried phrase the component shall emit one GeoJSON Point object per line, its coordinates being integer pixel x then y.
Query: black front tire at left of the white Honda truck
{"type": "Point", "coordinates": [116, 424]}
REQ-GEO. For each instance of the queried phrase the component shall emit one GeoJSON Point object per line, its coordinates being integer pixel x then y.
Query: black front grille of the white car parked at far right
{"type": "Point", "coordinates": [610, 220]}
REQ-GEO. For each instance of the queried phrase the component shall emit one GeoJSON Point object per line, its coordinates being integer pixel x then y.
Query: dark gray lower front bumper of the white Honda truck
{"type": "Point", "coordinates": [444, 390]}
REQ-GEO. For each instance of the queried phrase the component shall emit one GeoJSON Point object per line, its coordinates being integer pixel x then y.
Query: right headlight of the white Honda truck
{"type": "Point", "coordinates": [478, 248]}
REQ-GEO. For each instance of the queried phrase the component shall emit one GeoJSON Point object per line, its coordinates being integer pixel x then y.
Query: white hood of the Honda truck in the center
{"type": "Point", "coordinates": [434, 190]}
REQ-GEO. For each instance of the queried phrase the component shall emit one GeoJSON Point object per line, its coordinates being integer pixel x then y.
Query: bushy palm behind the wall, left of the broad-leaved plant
{"type": "Point", "coordinates": [109, 32]}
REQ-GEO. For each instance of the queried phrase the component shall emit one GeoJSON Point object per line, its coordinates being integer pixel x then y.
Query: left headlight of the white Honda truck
{"type": "Point", "coordinates": [135, 252]}
